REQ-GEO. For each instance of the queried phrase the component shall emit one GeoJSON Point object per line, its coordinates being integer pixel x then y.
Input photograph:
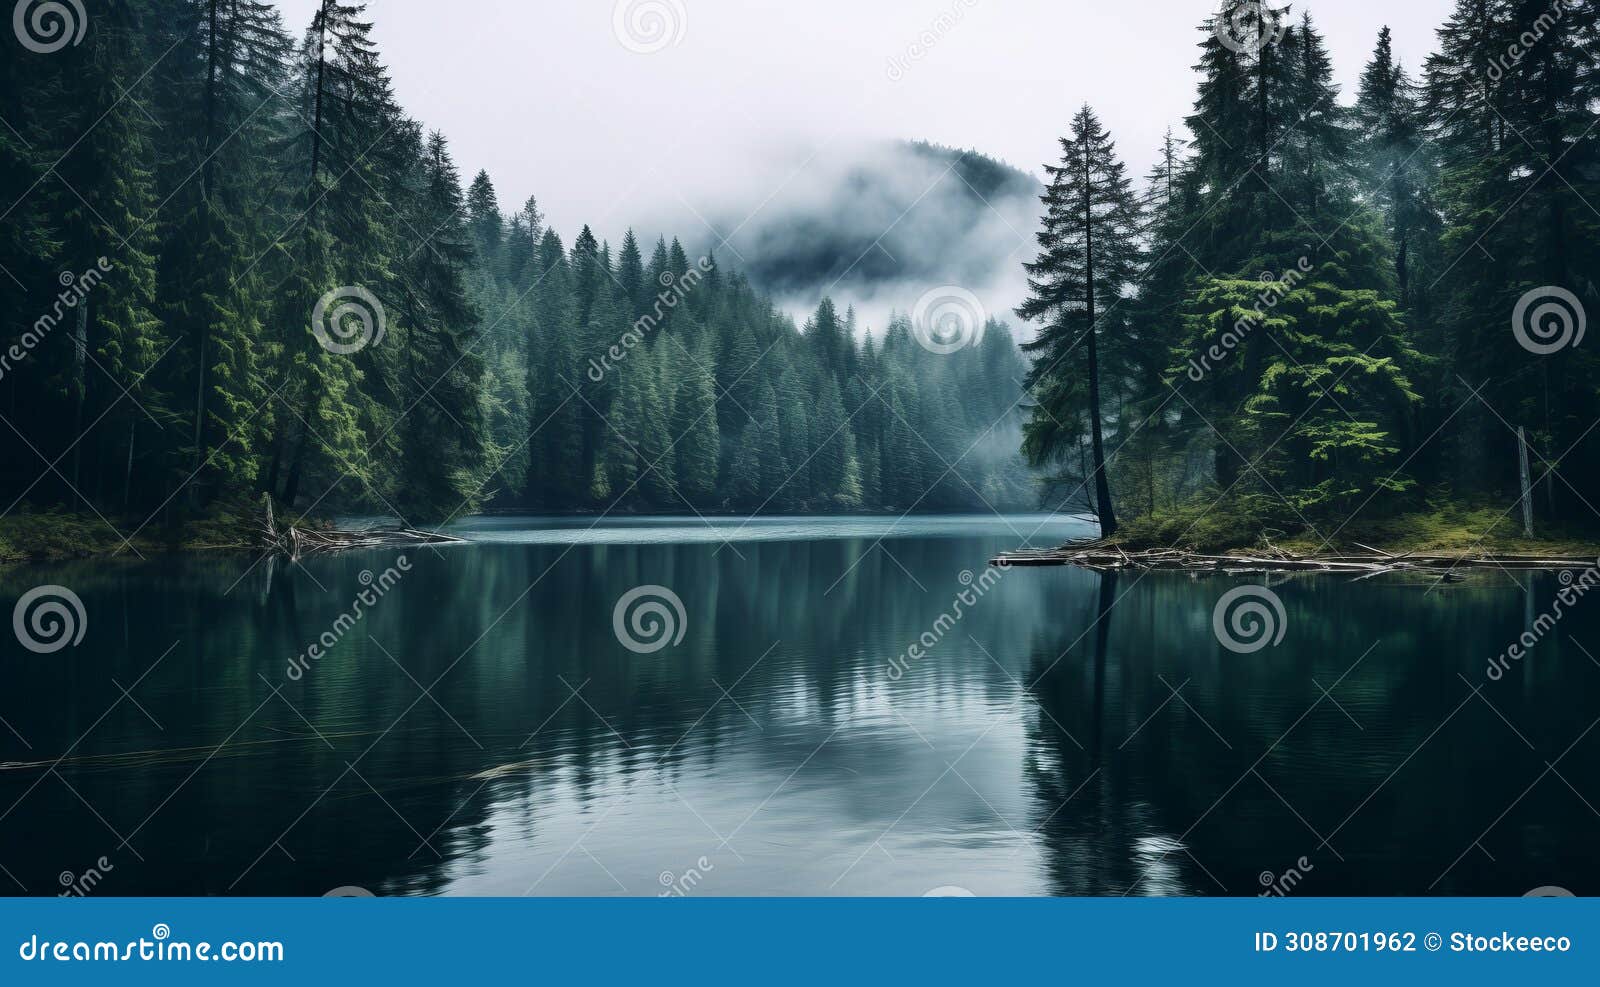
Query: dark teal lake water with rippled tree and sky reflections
{"type": "Point", "coordinates": [481, 727]}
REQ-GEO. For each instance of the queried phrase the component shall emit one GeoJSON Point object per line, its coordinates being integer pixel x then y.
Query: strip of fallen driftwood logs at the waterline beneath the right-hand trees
{"type": "Point", "coordinates": [1106, 557]}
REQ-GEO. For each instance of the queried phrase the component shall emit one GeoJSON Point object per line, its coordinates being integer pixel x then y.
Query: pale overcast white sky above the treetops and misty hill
{"type": "Point", "coordinates": [546, 97]}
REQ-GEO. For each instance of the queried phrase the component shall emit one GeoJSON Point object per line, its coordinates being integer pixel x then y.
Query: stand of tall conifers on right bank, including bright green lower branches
{"type": "Point", "coordinates": [1313, 310]}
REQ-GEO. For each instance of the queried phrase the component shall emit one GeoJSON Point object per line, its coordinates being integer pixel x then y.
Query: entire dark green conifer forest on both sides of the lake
{"type": "Point", "coordinates": [236, 266]}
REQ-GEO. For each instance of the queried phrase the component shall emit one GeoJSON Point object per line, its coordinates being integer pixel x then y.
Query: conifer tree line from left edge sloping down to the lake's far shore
{"type": "Point", "coordinates": [234, 265]}
